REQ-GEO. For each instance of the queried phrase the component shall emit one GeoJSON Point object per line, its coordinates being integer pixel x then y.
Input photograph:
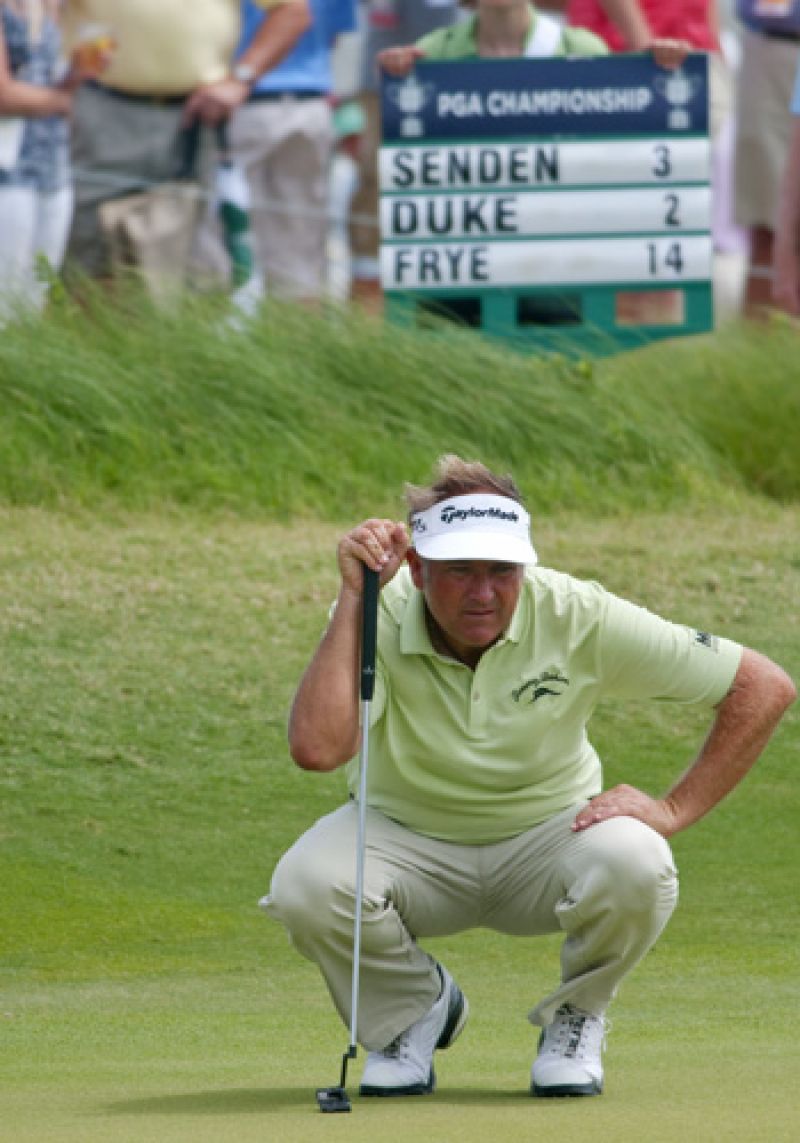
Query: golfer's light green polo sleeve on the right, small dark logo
{"type": "Point", "coordinates": [645, 657]}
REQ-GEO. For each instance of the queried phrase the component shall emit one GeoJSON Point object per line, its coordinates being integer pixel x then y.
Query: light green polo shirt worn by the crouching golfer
{"type": "Point", "coordinates": [481, 757]}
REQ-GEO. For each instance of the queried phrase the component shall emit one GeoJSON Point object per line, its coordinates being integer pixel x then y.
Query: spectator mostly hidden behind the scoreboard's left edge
{"type": "Point", "coordinates": [387, 23]}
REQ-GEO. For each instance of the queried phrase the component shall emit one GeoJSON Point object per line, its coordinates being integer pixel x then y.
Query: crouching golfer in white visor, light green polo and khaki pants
{"type": "Point", "coordinates": [486, 806]}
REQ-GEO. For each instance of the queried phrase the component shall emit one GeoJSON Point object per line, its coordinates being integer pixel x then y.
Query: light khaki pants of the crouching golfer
{"type": "Point", "coordinates": [611, 890]}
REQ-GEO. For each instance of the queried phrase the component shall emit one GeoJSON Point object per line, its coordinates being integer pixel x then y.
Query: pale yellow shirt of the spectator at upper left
{"type": "Point", "coordinates": [164, 47]}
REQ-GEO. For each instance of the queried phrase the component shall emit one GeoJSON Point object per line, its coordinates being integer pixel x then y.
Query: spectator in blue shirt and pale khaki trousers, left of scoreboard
{"type": "Point", "coordinates": [282, 137]}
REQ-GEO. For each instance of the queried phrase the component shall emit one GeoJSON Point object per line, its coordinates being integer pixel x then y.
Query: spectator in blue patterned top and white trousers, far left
{"type": "Point", "coordinates": [36, 190]}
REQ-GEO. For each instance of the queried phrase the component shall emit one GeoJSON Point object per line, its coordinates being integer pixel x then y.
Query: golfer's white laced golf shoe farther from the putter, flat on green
{"type": "Point", "coordinates": [570, 1060]}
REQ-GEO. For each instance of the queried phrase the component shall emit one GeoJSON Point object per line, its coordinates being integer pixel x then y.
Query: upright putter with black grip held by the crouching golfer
{"type": "Point", "coordinates": [337, 1099]}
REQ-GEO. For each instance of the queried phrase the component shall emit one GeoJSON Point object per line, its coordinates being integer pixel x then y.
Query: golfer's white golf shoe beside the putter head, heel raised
{"type": "Point", "coordinates": [406, 1066]}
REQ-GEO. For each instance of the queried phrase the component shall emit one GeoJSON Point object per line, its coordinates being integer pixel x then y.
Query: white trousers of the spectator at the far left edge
{"type": "Point", "coordinates": [33, 225]}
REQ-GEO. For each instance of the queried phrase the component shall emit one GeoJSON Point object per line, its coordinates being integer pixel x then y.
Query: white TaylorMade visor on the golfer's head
{"type": "Point", "coordinates": [481, 527]}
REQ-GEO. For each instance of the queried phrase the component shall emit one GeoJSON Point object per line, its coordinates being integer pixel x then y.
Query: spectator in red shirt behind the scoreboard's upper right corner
{"type": "Point", "coordinates": [668, 30]}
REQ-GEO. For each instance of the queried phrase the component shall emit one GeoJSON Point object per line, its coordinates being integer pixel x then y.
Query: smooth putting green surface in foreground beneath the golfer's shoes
{"type": "Point", "coordinates": [186, 1060]}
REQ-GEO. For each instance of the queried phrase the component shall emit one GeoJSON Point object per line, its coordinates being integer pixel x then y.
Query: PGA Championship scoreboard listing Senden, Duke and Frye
{"type": "Point", "coordinates": [555, 203]}
